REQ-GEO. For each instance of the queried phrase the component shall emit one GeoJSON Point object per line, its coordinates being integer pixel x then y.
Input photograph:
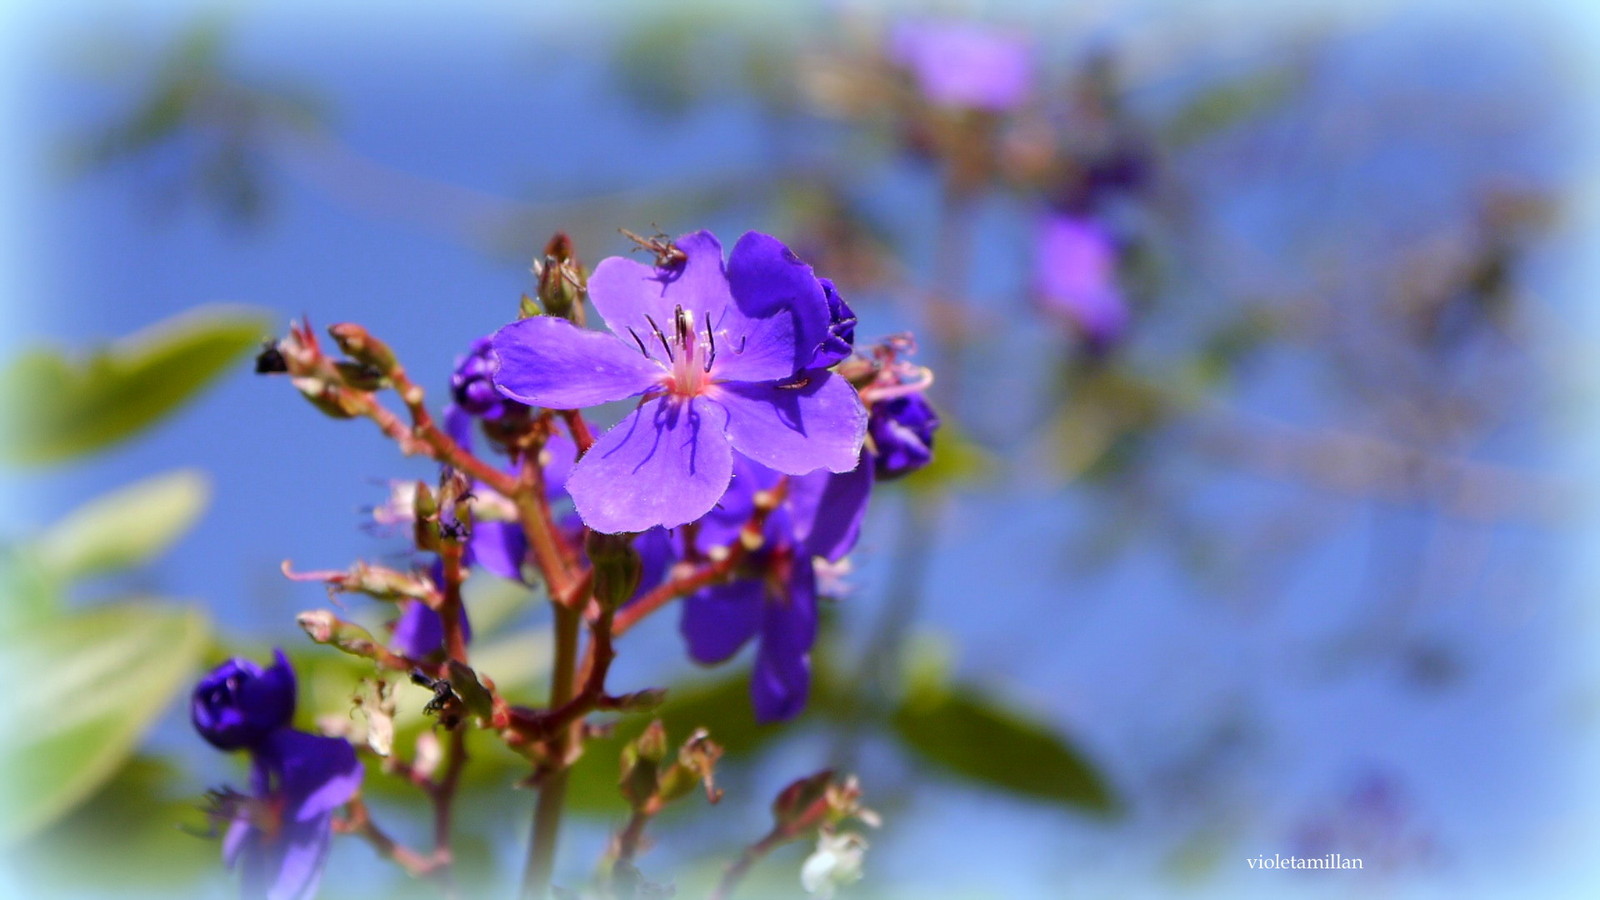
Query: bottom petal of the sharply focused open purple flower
{"type": "Point", "coordinates": [663, 465]}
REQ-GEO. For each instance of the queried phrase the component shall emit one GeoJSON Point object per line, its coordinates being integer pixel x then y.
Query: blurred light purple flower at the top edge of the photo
{"type": "Point", "coordinates": [964, 65]}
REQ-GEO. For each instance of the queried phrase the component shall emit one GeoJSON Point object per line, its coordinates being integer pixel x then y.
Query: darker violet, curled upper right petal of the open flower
{"type": "Point", "coordinates": [780, 315]}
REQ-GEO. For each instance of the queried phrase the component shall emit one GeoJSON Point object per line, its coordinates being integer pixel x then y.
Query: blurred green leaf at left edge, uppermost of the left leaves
{"type": "Point", "coordinates": [54, 408]}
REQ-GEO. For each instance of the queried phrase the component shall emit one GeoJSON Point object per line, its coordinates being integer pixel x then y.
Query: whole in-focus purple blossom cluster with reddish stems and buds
{"type": "Point", "coordinates": [745, 460]}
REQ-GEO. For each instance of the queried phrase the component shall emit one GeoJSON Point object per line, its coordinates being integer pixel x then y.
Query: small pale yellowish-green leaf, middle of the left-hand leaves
{"type": "Point", "coordinates": [127, 528]}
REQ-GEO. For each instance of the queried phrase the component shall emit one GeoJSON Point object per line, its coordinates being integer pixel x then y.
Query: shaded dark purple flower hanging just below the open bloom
{"type": "Point", "coordinates": [774, 597]}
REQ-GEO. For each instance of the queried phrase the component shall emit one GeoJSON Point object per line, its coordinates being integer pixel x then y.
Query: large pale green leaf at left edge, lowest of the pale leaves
{"type": "Point", "coordinates": [95, 681]}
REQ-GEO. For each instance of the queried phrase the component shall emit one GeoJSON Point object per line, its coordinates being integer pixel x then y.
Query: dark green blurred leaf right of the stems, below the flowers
{"type": "Point", "coordinates": [972, 736]}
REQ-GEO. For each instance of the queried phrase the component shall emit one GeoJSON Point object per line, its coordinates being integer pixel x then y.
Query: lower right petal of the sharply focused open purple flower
{"type": "Point", "coordinates": [818, 425]}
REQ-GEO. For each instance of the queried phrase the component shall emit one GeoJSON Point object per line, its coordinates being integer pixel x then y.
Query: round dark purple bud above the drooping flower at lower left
{"type": "Point", "coordinates": [241, 704]}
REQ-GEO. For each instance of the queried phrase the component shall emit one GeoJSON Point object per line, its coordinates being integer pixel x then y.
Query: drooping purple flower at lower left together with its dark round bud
{"type": "Point", "coordinates": [278, 835]}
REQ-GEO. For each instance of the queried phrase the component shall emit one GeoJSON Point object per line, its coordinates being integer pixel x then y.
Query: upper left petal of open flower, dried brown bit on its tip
{"type": "Point", "coordinates": [636, 299]}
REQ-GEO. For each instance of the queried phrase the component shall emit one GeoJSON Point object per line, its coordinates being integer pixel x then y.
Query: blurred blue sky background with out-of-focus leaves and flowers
{"type": "Point", "coordinates": [1263, 337]}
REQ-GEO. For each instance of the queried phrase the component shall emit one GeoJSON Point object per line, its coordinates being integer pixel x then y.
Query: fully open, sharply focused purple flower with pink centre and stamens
{"type": "Point", "coordinates": [721, 358]}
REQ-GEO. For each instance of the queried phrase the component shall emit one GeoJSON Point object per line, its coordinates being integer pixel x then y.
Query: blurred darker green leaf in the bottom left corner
{"type": "Point", "coordinates": [127, 837]}
